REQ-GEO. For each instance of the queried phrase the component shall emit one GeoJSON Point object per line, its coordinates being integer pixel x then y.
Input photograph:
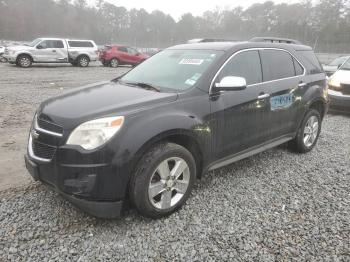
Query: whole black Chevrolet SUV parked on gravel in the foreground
{"type": "Point", "coordinates": [146, 136]}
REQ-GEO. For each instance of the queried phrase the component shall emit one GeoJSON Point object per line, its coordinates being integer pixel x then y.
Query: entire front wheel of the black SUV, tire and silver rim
{"type": "Point", "coordinates": [152, 175]}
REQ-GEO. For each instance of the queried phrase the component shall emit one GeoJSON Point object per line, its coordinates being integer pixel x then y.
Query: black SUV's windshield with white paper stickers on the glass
{"type": "Point", "coordinates": [173, 70]}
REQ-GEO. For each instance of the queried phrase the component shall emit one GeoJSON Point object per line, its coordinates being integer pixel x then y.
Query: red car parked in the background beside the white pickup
{"type": "Point", "coordinates": [115, 55]}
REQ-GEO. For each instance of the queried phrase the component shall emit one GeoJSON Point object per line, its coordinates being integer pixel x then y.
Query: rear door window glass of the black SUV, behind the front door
{"type": "Point", "coordinates": [277, 64]}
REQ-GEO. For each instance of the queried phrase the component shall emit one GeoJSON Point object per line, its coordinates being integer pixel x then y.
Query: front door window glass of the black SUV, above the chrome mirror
{"type": "Point", "coordinates": [245, 64]}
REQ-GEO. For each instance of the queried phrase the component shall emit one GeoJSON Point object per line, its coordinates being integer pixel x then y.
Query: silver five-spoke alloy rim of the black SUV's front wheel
{"type": "Point", "coordinates": [169, 183]}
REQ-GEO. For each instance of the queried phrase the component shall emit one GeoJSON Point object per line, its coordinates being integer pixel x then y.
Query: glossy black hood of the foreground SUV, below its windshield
{"type": "Point", "coordinates": [99, 100]}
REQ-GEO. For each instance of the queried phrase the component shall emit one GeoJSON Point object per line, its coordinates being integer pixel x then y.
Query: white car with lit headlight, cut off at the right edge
{"type": "Point", "coordinates": [339, 88]}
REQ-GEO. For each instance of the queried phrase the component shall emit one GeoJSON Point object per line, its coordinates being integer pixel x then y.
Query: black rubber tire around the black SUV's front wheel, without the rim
{"type": "Point", "coordinates": [145, 171]}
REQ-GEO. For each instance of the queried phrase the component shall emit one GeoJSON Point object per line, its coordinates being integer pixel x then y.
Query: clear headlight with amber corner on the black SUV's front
{"type": "Point", "coordinates": [95, 133]}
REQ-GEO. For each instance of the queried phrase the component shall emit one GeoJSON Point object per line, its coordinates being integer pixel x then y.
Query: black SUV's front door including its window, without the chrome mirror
{"type": "Point", "coordinates": [240, 118]}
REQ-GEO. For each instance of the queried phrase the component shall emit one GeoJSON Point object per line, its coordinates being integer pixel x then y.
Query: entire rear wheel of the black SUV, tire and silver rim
{"type": "Point", "coordinates": [308, 132]}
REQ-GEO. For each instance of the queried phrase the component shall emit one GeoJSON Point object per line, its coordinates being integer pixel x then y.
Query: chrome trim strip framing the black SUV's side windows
{"type": "Point", "coordinates": [257, 49]}
